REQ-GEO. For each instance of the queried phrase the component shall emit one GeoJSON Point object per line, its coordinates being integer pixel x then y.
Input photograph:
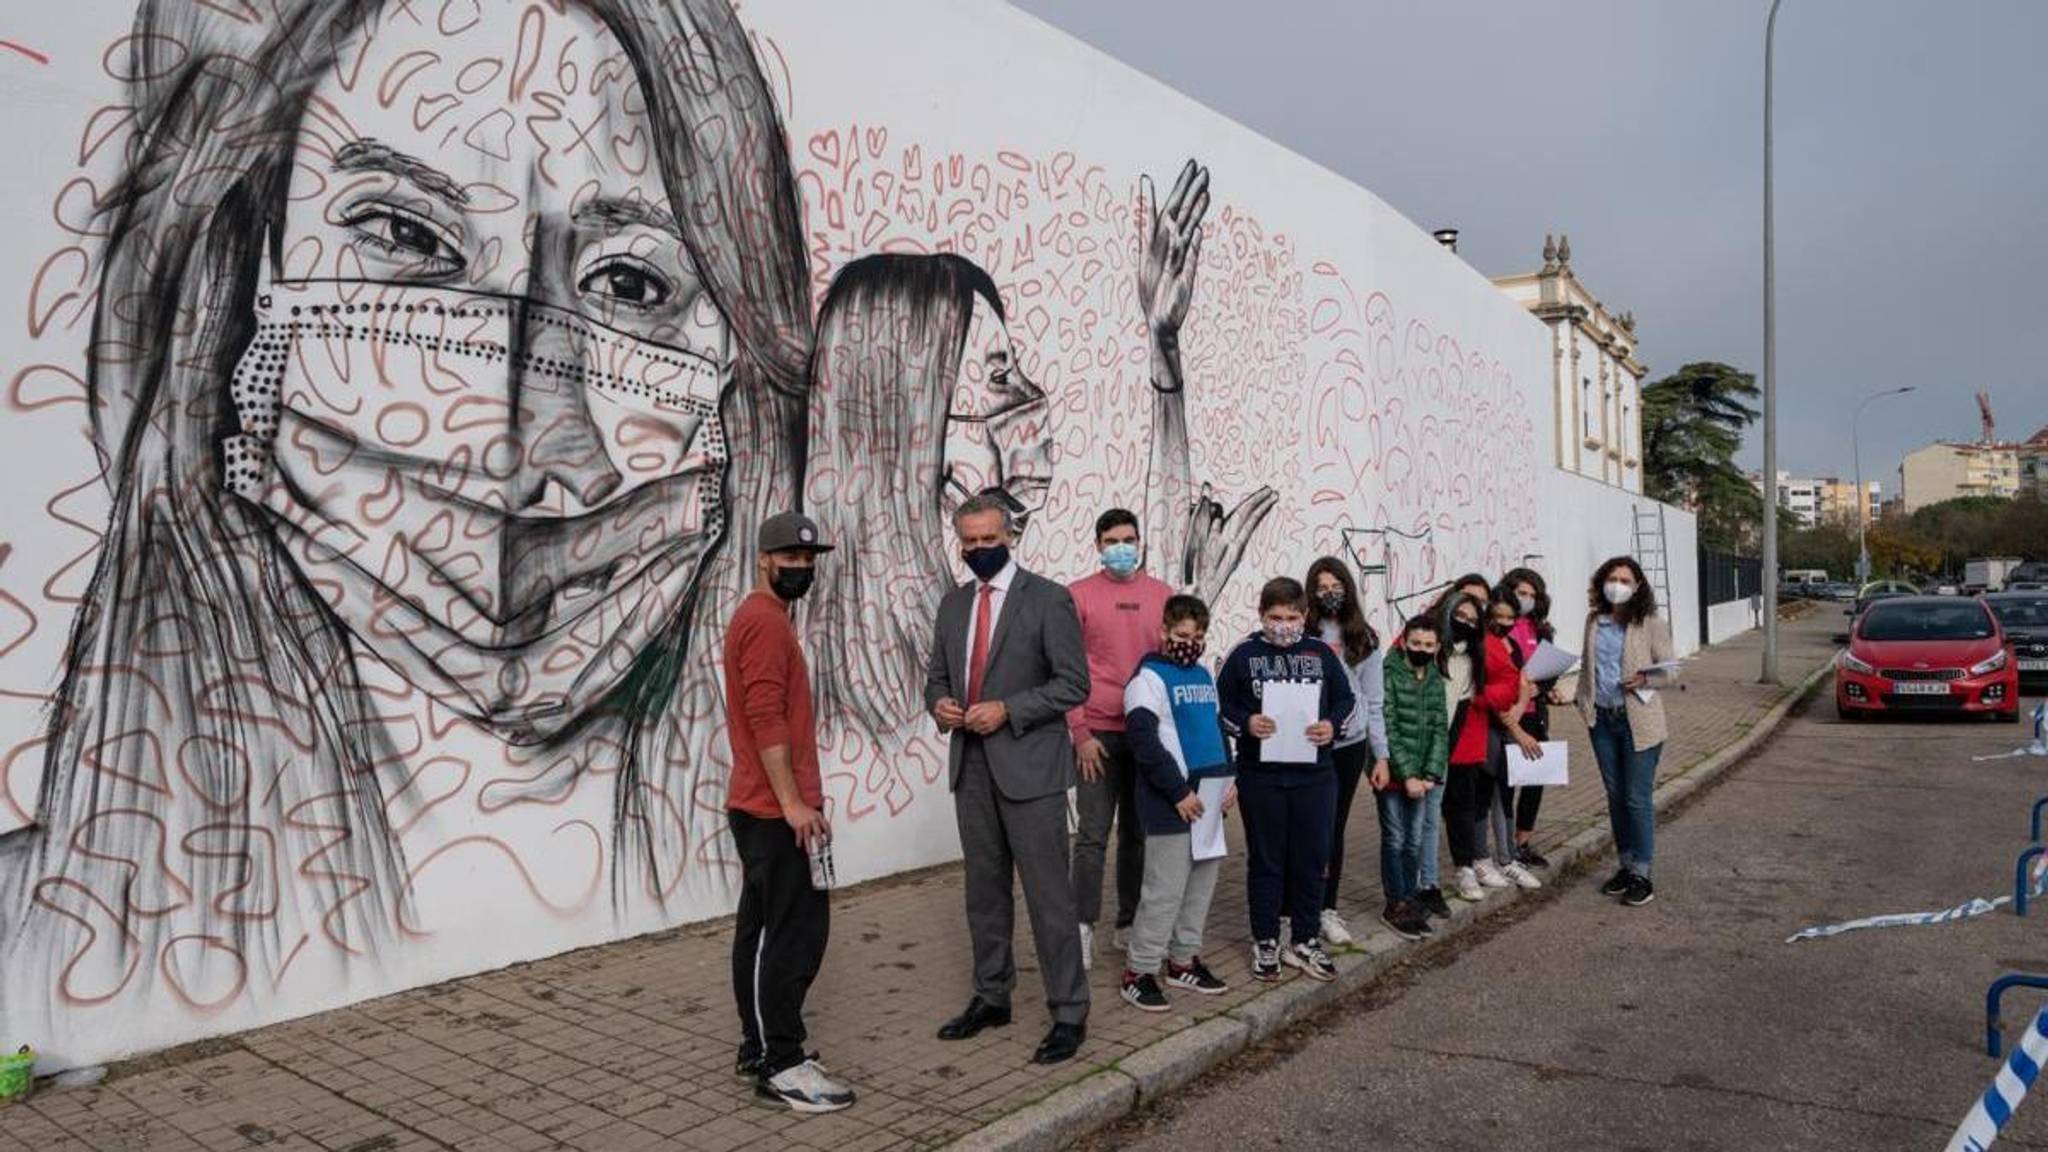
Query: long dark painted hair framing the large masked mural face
{"type": "Point", "coordinates": [208, 688]}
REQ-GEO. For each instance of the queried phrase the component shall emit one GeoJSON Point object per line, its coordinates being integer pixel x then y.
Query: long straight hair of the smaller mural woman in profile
{"type": "Point", "coordinates": [890, 343]}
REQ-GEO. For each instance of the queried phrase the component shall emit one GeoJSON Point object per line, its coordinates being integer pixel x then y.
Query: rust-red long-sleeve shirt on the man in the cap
{"type": "Point", "coordinates": [767, 704]}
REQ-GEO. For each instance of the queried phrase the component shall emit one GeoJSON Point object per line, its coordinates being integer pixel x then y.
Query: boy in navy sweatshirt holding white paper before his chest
{"type": "Point", "coordinates": [1289, 807]}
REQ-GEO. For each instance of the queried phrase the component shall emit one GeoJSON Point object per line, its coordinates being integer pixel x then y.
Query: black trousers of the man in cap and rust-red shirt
{"type": "Point", "coordinates": [779, 942]}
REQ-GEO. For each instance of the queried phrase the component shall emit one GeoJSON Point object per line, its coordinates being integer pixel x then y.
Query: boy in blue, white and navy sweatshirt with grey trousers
{"type": "Point", "coordinates": [1177, 739]}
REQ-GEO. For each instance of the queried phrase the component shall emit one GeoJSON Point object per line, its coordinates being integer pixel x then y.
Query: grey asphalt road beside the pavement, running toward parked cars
{"type": "Point", "coordinates": [1691, 1024]}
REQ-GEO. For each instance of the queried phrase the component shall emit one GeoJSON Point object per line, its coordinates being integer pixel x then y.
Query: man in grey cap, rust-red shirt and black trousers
{"type": "Point", "coordinates": [775, 805]}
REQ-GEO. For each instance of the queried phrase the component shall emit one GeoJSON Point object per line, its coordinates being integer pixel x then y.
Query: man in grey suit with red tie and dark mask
{"type": "Point", "coordinates": [1007, 667]}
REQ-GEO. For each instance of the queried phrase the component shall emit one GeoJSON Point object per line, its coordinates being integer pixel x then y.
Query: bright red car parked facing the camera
{"type": "Point", "coordinates": [1928, 655]}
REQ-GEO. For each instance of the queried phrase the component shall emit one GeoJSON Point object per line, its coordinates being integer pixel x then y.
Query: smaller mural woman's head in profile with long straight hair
{"type": "Point", "coordinates": [916, 405]}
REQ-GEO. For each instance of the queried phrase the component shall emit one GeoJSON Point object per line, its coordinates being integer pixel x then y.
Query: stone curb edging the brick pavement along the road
{"type": "Point", "coordinates": [1117, 1092]}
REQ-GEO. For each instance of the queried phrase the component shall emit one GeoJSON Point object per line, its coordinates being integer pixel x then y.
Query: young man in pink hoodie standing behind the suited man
{"type": "Point", "coordinates": [1121, 610]}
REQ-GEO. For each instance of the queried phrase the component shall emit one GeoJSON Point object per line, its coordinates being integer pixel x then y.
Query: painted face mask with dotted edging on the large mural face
{"type": "Point", "coordinates": [503, 501]}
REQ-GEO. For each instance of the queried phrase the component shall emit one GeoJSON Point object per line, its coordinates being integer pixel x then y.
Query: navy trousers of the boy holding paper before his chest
{"type": "Point", "coordinates": [1287, 833]}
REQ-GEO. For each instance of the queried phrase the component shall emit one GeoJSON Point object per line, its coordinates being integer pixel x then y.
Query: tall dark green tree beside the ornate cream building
{"type": "Point", "coordinates": [1693, 425]}
